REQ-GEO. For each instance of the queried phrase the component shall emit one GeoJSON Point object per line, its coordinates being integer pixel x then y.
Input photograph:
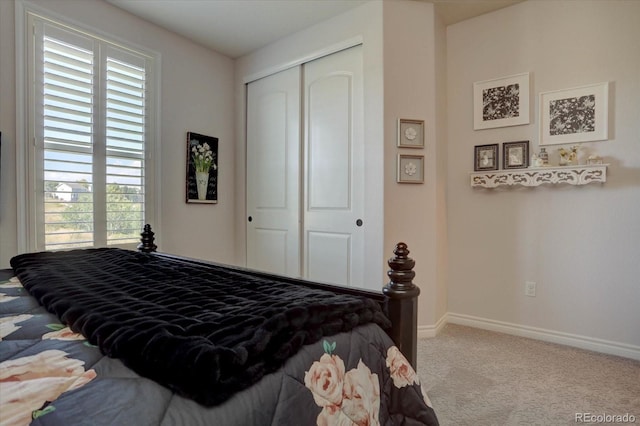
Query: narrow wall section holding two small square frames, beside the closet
{"type": "Point", "coordinates": [412, 212]}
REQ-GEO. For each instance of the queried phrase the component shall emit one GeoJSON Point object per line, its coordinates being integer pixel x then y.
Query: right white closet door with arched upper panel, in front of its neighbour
{"type": "Point", "coordinates": [334, 222]}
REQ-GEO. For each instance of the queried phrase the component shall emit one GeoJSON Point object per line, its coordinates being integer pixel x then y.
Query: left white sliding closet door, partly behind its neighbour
{"type": "Point", "coordinates": [273, 173]}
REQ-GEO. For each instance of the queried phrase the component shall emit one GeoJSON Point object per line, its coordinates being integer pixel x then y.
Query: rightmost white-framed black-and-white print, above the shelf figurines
{"type": "Point", "coordinates": [575, 115]}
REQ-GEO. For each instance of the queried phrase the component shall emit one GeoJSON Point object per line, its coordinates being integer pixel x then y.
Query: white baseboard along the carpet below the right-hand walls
{"type": "Point", "coordinates": [583, 342]}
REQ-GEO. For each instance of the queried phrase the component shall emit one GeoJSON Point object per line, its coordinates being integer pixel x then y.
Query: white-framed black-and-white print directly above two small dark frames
{"type": "Point", "coordinates": [501, 102]}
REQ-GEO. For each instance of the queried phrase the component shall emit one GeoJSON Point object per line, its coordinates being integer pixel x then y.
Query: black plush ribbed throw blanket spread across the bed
{"type": "Point", "coordinates": [205, 332]}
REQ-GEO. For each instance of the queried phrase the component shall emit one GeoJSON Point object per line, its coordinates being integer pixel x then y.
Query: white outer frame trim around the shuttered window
{"type": "Point", "coordinates": [29, 161]}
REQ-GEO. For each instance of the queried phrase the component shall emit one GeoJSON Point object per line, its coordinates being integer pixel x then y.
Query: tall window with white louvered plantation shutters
{"type": "Point", "coordinates": [90, 121]}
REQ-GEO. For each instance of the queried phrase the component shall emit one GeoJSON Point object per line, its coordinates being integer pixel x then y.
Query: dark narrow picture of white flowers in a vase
{"type": "Point", "coordinates": [202, 169]}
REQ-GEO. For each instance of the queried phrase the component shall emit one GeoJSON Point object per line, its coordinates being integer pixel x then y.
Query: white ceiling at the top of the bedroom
{"type": "Point", "coordinates": [238, 27]}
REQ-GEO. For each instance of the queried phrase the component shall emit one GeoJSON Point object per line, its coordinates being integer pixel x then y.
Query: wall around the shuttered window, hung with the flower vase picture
{"type": "Point", "coordinates": [197, 95]}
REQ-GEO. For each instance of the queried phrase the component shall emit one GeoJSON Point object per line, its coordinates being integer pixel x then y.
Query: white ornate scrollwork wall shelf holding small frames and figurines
{"type": "Point", "coordinates": [573, 175]}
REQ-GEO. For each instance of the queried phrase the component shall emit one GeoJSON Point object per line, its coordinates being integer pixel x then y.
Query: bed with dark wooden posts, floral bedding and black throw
{"type": "Point", "coordinates": [117, 337]}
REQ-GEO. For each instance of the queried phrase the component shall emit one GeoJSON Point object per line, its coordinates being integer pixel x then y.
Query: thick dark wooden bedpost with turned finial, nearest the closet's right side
{"type": "Point", "coordinates": [403, 302]}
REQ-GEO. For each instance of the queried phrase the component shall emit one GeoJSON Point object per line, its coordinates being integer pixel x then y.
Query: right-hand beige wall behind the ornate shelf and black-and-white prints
{"type": "Point", "coordinates": [581, 245]}
